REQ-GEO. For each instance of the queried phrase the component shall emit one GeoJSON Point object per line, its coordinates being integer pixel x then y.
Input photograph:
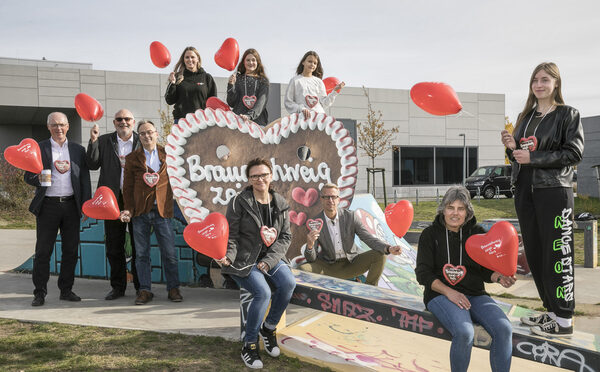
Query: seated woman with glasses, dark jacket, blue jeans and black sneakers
{"type": "Point", "coordinates": [259, 237]}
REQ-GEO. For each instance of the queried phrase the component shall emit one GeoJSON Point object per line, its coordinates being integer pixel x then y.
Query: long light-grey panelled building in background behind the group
{"type": "Point", "coordinates": [427, 152]}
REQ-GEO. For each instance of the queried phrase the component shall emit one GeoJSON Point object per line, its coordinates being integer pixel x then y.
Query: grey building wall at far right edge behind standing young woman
{"type": "Point", "coordinates": [587, 183]}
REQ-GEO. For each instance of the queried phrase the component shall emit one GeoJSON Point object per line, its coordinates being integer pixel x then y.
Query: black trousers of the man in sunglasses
{"type": "Point", "coordinates": [115, 231]}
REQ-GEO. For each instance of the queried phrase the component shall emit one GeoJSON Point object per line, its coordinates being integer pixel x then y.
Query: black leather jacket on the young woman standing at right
{"type": "Point", "coordinates": [559, 147]}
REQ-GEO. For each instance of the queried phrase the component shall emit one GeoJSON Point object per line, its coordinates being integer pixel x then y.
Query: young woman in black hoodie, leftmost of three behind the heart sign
{"type": "Point", "coordinates": [189, 85]}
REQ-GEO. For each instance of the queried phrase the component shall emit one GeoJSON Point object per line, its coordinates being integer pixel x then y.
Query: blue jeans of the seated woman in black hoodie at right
{"type": "Point", "coordinates": [484, 311]}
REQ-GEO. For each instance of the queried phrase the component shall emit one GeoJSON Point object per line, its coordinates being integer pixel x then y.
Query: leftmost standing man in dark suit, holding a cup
{"type": "Point", "coordinates": [58, 206]}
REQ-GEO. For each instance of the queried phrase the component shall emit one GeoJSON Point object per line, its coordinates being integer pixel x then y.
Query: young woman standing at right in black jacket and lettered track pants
{"type": "Point", "coordinates": [545, 145]}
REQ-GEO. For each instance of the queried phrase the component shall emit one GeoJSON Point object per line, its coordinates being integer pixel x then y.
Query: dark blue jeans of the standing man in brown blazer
{"type": "Point", "coordinates": [166, 243]}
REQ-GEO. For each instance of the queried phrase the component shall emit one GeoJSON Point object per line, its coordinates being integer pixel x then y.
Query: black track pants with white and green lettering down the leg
{"type": "Point", "coordinates": [546, 221]}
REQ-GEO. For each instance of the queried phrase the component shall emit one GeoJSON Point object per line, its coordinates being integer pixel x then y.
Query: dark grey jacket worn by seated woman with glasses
{"type": "Point", "coordinates": [245, 242]}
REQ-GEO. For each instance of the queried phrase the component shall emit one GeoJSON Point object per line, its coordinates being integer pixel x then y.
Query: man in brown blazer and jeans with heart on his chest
{"type": "Point", "coordinates": [148, 200]}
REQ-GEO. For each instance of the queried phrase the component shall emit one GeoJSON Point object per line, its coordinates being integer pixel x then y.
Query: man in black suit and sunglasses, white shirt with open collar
{"type": "Point", "coordinates": [108, 153]}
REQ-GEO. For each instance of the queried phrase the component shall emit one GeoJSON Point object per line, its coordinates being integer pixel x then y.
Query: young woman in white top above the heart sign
{"type": "Point", "coordinates": [306, 91]}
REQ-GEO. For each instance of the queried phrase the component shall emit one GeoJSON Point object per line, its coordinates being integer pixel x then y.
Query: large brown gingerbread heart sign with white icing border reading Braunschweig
{"type": "Point", "coordinates": [305, 153]}
